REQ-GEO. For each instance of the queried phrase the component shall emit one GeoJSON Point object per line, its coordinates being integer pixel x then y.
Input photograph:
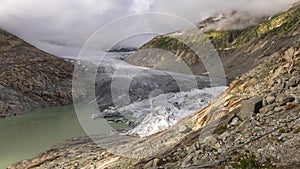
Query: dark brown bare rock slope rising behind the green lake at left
{"type": "Point", "coordinates": [31, 79]}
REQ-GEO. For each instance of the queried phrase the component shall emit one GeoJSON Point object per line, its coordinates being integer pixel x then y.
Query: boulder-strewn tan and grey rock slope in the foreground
{"type": "Point", "coordinates": [253, 124]}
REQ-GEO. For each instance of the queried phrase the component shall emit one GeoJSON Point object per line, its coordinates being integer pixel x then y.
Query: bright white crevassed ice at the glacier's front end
{"type": "Point", "coordinates": [161, 112]}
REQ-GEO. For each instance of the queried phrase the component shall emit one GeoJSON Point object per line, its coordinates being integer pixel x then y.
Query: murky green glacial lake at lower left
{"type": "Point", "coordinates": [25, 136]}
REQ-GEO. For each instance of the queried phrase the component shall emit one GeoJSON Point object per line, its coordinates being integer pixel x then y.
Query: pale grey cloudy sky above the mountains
{"type": "Point", "coordinates": [62, 27]}
